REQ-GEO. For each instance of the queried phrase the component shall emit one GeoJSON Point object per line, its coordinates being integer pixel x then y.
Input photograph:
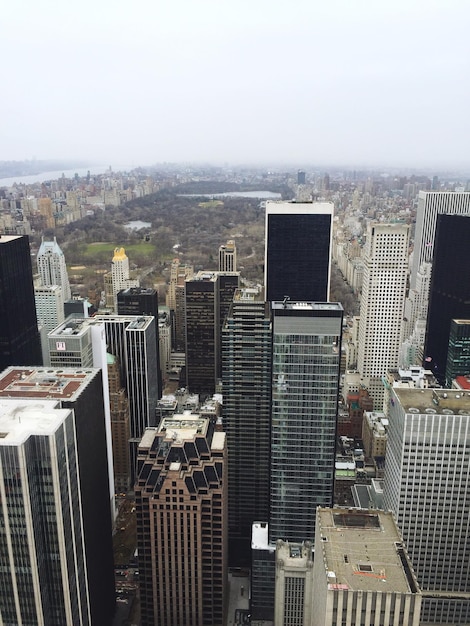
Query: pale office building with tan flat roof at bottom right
{"type": "Point", "coordinates": [361, 572]}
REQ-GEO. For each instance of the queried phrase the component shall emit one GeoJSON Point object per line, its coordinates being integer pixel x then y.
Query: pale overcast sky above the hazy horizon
{"type": "Point", "coordinates": [137, 82]}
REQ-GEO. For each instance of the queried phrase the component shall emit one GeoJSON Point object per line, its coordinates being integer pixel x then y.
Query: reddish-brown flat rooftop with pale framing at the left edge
{"type": "Point", "coordinates": [44, 382]}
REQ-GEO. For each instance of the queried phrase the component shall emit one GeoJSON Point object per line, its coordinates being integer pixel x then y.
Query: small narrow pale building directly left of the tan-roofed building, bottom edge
{"type": "Point", "coordinates": [294, 597]}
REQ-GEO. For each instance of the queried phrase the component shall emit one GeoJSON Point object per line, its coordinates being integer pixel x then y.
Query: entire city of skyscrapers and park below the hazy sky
{"type": "Point", "coordinates": [264, 421]}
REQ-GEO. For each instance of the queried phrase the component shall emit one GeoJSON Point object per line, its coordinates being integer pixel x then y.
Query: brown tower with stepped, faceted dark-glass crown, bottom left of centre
{"type": "Point", "coordinates": [181, 507]}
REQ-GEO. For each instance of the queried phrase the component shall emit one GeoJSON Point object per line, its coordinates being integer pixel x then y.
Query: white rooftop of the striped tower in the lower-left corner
{"type": "Point", "coordinates": [19, 419]}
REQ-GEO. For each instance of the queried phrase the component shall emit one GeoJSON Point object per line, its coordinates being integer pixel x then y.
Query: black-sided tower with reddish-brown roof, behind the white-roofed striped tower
{"type": "Point", "coordinates": [81, 391]}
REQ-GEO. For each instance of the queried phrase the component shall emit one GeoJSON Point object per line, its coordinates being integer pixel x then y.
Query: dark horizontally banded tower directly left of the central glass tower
{"type": "Point", "coordinates": [246, 378]}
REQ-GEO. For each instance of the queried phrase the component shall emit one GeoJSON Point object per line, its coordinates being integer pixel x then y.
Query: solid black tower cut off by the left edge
{"type": "Point", "coordinates": [19, 336]}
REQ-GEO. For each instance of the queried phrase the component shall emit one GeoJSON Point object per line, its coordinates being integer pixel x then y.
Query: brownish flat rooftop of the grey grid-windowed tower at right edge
{"type": "Point", "coordinates": [440, 401]}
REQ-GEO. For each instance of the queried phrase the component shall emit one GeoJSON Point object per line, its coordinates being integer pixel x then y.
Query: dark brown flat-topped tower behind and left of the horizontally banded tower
{"type": "Point", "coordinates": [208, 298]}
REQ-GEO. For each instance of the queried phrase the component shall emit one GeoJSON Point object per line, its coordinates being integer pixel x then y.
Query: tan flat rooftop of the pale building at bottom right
{"type": "Point", "coordinates": [360, 551]}
